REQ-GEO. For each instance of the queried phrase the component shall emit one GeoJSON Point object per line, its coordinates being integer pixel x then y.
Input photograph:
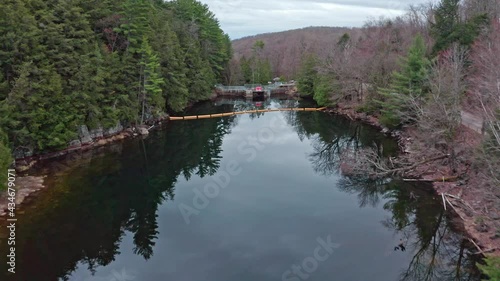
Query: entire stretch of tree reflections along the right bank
{"type": "Point", "coordinates": [439, 253]}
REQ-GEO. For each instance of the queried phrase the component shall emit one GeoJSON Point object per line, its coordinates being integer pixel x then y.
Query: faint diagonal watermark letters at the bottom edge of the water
{"type": "Point", "coordinates": [310, 264]}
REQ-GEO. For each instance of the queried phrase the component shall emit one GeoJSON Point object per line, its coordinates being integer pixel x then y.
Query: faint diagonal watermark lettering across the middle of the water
{"type": "Point", "coordinates": [248, 148]}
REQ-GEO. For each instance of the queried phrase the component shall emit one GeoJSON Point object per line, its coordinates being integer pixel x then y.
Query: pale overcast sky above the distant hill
{"type": "Point", "coordinates": [241, 18]}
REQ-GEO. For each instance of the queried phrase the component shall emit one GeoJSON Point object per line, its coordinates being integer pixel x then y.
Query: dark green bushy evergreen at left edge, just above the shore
{"type": "Point", "coordinates": [36, 111]}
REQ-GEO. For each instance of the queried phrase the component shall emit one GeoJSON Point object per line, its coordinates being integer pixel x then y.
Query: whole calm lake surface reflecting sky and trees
{"type": "Point", "coordinates": [252, 197]}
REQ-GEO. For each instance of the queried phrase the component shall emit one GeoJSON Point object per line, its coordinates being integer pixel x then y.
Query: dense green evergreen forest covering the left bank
{"type": "Point", "coordinates": [67, 63]}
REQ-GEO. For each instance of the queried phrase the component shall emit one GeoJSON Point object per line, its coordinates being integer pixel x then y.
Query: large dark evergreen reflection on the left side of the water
{"type": "Point", "coordinates": [85, 215]}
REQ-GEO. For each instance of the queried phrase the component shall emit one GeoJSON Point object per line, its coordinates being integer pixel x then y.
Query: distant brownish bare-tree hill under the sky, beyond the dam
{"type": "Point", "coordinates": [285, 49]}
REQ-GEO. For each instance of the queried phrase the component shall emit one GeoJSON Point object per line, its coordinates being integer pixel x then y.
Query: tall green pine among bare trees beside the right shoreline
{"type": "Point", "coordinates": [407, 84]}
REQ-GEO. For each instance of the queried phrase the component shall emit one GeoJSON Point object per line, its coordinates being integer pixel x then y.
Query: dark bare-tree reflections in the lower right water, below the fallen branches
{"type": "Point", "coordinates": [438, 251]}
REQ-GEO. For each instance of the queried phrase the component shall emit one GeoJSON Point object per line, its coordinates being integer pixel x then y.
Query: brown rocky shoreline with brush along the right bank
{"type": "Point", "coordinates": [483, 234]}
